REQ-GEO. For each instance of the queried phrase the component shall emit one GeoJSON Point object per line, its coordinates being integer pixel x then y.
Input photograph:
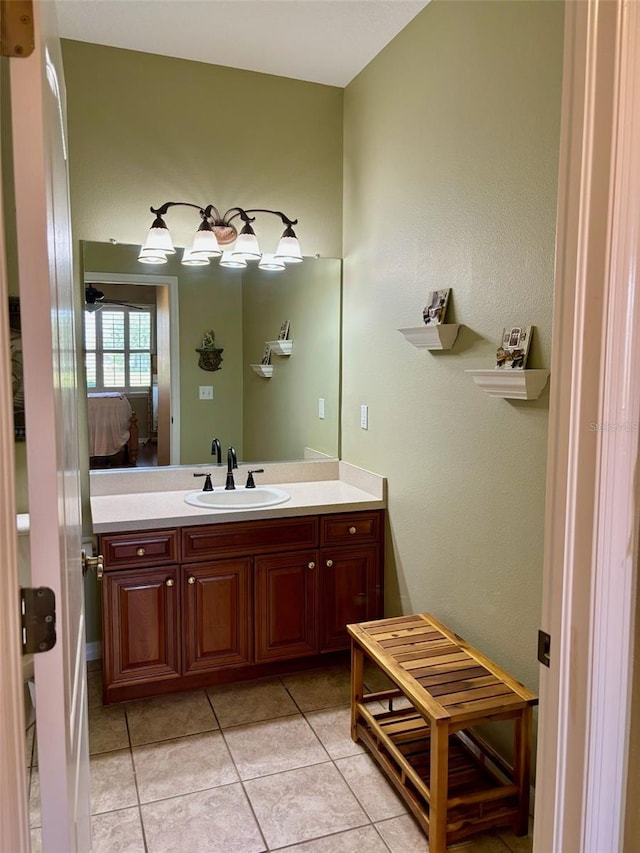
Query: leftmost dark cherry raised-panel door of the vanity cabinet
{"type": "Point", "coordinates": [140, 625]}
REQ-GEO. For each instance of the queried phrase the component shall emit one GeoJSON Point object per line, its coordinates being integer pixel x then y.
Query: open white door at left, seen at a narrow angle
{"type": "Point", "coordinates": [44, 250]}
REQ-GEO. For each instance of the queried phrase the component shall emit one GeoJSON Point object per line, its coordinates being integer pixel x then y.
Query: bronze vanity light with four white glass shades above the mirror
{"type": "Point", "coordinates": [217, 230]}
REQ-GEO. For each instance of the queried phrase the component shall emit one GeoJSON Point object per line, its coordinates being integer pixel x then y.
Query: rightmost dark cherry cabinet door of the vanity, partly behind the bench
{"type": "Point", "coordinates": [350, 591]}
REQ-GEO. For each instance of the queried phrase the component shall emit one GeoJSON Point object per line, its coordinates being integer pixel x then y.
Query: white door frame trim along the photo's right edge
{"type": "Point", "coordinates": [591, 508]}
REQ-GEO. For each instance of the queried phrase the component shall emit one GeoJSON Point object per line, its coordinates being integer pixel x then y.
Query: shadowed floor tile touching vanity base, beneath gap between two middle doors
{"type": "Point", "coordinates": [251, 702]}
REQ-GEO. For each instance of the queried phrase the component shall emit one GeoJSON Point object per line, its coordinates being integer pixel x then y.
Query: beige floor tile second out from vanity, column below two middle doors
{"type": "Point", "coordinates": [276, 745]}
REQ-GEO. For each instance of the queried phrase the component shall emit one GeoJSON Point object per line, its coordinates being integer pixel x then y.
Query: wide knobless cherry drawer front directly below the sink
{"type": "Point", "coordinates": [245, 538]}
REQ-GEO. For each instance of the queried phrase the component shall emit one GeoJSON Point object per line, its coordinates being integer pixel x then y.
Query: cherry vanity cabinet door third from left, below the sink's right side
{"type": "Point", "coordinates": [285, 605]}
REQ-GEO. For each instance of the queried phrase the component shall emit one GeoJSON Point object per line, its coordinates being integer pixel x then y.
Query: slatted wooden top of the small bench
{"type": "Point", "coordinates": [439, 672]}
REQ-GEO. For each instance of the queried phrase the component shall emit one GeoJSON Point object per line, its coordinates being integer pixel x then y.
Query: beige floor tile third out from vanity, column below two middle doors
{"type": "Point", "coordinates": [299, 805]}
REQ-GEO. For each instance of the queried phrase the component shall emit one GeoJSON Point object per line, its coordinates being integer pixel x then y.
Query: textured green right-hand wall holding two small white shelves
{"type": "Point", "coordinates": [451, 150]}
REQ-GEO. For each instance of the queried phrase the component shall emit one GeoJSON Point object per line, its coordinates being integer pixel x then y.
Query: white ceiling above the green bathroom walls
{"type": "Point", "coordinates": [322, 41]}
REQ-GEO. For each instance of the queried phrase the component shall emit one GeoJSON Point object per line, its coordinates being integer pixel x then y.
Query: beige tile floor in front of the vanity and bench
{"type": "Point", "coordinates": [243, 768]}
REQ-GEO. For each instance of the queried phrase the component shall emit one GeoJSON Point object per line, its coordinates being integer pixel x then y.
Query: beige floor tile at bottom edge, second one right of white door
{"type": "Point", "coordinates": [216, 821]}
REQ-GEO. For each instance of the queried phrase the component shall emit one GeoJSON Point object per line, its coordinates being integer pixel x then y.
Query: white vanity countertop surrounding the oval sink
{"type": "Point", "coordinates": [148, 510]}
